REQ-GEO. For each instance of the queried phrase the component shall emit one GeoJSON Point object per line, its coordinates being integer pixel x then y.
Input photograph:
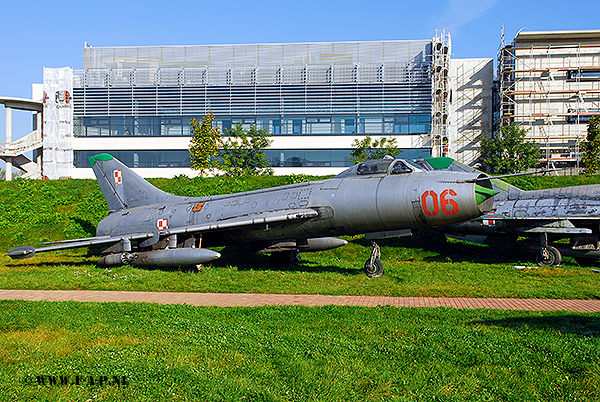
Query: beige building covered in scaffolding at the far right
{"type": "Point", "coordinates": [550, 84]}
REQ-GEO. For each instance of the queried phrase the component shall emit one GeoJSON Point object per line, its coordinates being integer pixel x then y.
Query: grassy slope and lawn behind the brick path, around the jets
{"type": "Point", "coordinates": [425, 265]}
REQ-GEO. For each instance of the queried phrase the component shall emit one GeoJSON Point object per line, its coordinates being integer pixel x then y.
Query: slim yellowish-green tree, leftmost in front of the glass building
{"type": "Point", "coordinates": [204, 145]}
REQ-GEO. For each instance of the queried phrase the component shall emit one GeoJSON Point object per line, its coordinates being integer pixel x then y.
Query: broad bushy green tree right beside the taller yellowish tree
{"type": "Point", "coordinates": [242, 152]}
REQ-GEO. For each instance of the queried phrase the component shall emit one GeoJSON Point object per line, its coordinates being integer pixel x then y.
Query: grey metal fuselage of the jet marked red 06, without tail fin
{"type": "Point", "coordinates": [346, 205]}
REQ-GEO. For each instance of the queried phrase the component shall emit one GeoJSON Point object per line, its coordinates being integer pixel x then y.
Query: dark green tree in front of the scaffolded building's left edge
{"type": "Point", "coordinates": [508, 151]}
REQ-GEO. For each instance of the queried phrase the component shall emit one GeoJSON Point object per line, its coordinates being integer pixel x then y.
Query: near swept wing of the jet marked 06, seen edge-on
{"type": "Point", "coordinates": [244, 221]}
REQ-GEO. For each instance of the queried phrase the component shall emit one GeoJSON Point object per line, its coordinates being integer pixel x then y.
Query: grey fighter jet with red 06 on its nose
{"type": "Point", "coordinates": [147, 227]}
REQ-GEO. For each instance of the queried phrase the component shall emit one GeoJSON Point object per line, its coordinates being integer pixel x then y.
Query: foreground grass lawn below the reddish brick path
{"type": "Point", "coordinates": [329, 353]}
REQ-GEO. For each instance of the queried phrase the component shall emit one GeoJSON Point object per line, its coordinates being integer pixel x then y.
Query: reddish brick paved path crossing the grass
{"type": "Point", "coordinates": [252, 300]}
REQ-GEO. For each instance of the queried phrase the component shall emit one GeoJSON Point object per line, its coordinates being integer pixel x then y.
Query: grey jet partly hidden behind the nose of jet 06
{"type": "Point", "coordinates": [551, 214]}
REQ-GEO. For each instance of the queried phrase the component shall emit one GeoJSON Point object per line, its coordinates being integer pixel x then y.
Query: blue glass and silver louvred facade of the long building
{"type": "Point", "coordinates": [303, 89]}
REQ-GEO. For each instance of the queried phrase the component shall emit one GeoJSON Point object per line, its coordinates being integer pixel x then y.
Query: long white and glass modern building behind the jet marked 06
{"type": "Point", "coordinates": [315, 98]}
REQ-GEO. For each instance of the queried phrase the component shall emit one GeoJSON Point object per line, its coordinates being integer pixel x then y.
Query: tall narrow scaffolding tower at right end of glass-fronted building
{"type": "Point", "coordinates": [440, 97]}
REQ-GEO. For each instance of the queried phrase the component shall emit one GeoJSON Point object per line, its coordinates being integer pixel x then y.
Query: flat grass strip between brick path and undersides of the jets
{"type": "Point", "coordinates": [426, 265]}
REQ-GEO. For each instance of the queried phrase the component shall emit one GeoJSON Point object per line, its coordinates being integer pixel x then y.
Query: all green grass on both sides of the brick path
{"type": "Point", "coordinates": [333, 353]}
